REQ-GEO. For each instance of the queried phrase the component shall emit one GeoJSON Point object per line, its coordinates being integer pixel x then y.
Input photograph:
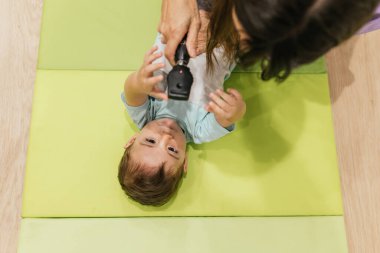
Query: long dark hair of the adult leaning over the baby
{"type": "Point", "coordinates": [287, 33]}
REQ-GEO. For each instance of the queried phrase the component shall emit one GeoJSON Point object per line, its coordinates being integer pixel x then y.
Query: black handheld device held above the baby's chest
{"type": "Point", "coordinates": [180, 78]}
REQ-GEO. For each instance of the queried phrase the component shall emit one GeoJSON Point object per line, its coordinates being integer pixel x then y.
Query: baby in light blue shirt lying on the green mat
{"type": "Point", "coordinates": [155, 158]}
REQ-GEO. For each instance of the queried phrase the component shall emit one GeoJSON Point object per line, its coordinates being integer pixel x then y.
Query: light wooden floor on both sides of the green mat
{"type": "Point", "coordinates": [354, 77]}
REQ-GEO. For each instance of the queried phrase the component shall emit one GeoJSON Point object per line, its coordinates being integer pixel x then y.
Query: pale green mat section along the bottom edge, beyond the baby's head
{"type": "Point", "coordinates": [201, 235]}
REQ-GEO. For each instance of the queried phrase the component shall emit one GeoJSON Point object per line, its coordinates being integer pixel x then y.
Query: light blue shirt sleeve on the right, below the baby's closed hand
{"type": "Point", "coordinates": [208, 129]}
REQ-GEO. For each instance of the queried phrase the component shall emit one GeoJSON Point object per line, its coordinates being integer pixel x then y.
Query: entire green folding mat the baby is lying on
{"type": "Point", "coordinates": [281, 160]}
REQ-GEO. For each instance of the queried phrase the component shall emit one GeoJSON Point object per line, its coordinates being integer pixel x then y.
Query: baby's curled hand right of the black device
{"type": "Point", "coordinates": [228, 107]}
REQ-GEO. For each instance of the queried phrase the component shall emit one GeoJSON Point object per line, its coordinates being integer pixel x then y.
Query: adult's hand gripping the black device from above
{"type": "Point", "coordinates": [179, 17]}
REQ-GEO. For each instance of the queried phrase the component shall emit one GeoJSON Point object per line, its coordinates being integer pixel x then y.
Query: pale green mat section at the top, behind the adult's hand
{"type": "Point", "coordinates": [104, 35]}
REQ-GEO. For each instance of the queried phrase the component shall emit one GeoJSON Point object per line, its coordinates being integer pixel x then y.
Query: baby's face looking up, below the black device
{"type": "Point", "coordinates": [160, 142]}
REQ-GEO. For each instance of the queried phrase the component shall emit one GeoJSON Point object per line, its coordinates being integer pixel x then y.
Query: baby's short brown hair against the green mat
{"type": "Point", "coordinates": [147, 188]}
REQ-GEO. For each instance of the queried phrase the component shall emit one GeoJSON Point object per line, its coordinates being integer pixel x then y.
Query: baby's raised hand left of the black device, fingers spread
{"type": "Point", "coordinates": [145, 79]}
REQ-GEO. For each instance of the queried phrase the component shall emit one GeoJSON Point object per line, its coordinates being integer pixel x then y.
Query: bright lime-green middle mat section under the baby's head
{"type": "Point", "coordinates": [281, 160]}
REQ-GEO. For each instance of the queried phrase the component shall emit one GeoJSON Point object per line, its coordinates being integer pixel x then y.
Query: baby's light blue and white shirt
{"type": "Point", "coordinates": [198, 125]}
